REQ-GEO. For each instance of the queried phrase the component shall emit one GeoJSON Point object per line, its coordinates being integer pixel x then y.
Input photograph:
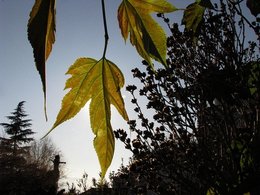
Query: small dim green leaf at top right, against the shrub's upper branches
{"type": "Point", "coordinates": [193, 15]}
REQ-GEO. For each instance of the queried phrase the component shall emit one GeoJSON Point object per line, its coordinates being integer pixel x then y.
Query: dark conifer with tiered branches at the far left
{"type": "Point", "coordinates": [14, 148]}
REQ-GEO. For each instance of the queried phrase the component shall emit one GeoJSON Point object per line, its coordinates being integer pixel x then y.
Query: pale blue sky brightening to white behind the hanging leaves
{"type": "Point", "coordinates": [79, 34]}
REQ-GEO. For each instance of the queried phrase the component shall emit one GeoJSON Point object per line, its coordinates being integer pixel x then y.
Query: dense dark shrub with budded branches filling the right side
{"type": "Point", "coordinates": [204, 136]}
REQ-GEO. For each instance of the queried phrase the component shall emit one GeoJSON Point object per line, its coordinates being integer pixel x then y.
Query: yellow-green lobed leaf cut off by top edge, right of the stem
{"type": "Point", "coordinates": [145, 33]}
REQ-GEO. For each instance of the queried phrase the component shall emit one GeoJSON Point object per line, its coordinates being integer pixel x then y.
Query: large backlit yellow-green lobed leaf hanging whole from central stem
{"type": "Point", "coordinates": [99, 81]}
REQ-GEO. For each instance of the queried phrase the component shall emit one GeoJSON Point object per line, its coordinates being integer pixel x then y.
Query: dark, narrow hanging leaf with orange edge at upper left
{"type": "Point", "coordinates": [41, 34]}
